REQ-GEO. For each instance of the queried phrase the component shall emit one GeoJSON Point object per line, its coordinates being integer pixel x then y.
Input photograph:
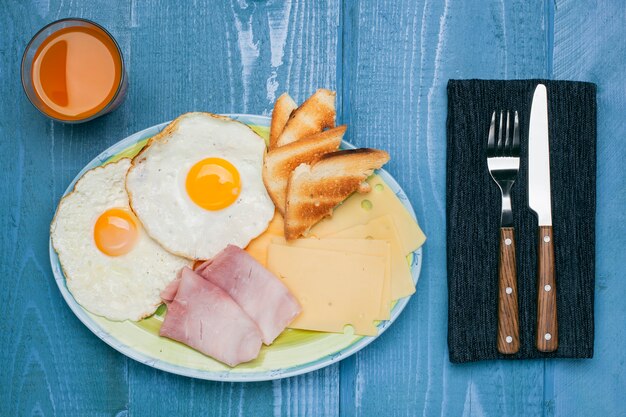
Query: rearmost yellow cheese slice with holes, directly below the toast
{"type": "Point", "coordinates": [361, 208]}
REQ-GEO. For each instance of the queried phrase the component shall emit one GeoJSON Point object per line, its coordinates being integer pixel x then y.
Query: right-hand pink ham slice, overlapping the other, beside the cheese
{"type": "Point", "coordinates": [257, 291]}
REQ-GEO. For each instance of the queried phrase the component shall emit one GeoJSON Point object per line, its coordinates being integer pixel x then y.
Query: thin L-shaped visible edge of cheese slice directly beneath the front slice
{"type": "Point", "coordinates": [369, 247]}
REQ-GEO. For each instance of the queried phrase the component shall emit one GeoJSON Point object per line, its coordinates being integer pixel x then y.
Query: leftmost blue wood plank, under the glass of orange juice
{"type": "Point", "coordinates": [51, 364]}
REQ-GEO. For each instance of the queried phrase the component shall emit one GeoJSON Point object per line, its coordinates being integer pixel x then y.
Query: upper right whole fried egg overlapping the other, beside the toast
{"type": "Point", "coordinates": [197, 186]}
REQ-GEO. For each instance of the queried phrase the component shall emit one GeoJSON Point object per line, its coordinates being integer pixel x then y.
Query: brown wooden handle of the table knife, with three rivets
{"type": "Point", "coordinates": [547, 325]}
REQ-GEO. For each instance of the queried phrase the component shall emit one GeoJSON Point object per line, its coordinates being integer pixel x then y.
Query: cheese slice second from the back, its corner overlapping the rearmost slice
{"type": "Point", "coordinates": [384, 228]}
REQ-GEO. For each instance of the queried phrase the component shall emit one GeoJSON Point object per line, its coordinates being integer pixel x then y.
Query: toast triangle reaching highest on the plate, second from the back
{"type": "Point", "coordinates": [314, 115]}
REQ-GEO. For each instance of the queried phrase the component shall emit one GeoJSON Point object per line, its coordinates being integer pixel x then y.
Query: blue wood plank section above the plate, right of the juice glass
{"type": "Point", "coordinates": [235, 56]}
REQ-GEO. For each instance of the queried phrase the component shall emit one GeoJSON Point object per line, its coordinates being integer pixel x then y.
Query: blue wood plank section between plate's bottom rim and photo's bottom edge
{"type": "Point", "coordinates": [314, 394]}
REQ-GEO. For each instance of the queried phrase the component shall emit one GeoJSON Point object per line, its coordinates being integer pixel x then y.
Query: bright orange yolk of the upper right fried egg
{"type": "Point", "coordinates": [213, 183]}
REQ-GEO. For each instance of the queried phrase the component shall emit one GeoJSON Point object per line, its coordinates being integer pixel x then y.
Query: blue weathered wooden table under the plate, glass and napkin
{"type": "Point", "coordinates": [389, 62]}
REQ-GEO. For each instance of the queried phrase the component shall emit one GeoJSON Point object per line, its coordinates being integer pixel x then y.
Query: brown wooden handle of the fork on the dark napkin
{"type": "Point", "coordinates": [508, 321]}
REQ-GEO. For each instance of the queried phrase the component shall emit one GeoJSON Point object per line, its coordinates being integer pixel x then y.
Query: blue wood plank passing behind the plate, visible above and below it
{"type": "Point", "coordinates": [235, 56]}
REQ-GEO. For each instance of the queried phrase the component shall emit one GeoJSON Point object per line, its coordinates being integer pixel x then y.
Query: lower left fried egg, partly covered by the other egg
{"type": "Point", "coordinates": [112, 267]}
